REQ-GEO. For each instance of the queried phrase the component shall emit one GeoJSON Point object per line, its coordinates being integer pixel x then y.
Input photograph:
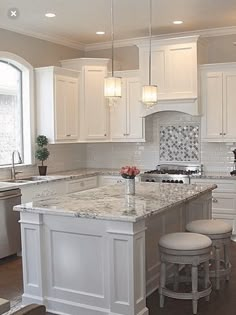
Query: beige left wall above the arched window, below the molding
{"type": "Point", "coordinates": [36, 51]}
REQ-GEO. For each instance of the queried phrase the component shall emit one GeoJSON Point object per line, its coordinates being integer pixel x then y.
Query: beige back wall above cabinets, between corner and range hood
{"type": "Point", "coordinates": [126, 58]}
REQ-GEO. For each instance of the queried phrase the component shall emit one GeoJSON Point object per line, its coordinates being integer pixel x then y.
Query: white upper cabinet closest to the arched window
{"type": "Point", "coordinates": [57, 99]}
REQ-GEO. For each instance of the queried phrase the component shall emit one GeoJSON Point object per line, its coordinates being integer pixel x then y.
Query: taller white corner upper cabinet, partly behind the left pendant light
{"type": "Point", "coordinates": [94, 109]}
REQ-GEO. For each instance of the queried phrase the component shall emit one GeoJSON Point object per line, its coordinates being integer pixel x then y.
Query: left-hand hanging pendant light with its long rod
{"type": "Point", "coordinates": [112, 85]}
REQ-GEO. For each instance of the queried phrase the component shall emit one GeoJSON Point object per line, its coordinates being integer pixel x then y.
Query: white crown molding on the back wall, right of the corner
{"type": "Point", "coordinates": [212, 32]}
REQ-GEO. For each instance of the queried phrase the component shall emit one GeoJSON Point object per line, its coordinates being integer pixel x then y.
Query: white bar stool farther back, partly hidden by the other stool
{"type": "Point", "coordinates": [220, 233]}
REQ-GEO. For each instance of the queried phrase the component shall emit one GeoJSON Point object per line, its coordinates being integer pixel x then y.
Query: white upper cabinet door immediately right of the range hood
{"type": "Point", "coordinates": [212, 102]}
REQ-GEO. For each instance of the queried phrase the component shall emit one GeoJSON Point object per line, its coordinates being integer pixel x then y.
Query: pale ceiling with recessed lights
{"type": "Point", "coordinates": [77, 21]}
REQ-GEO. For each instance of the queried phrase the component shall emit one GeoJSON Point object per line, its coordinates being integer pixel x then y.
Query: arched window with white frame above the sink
{"type": "Point", "coordinates": [16, 108]}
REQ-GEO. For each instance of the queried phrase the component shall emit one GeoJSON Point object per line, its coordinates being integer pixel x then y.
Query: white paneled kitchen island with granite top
{"type": "Point", "coordinates": [96, 252]}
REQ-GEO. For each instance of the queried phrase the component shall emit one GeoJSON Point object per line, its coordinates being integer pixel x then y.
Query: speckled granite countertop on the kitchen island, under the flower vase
{"type": "Point", "coordinates": [110, 202]}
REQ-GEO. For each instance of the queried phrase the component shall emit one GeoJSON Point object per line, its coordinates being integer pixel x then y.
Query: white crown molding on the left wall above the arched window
{"type": "Point", "coordinates": [56, 39]}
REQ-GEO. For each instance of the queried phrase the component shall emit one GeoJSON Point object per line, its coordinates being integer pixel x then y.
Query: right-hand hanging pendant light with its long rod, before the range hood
{"type": "Point", "coordinates": [149, 92]}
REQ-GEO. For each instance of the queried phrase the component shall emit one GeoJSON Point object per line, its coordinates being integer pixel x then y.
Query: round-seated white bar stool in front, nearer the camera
{"type": "Point", "coordinates": [183, 249]}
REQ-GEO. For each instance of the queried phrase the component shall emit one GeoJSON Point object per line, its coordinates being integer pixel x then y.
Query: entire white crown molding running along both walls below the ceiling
{"type": "Point", "coordinates": [212, 32]}
